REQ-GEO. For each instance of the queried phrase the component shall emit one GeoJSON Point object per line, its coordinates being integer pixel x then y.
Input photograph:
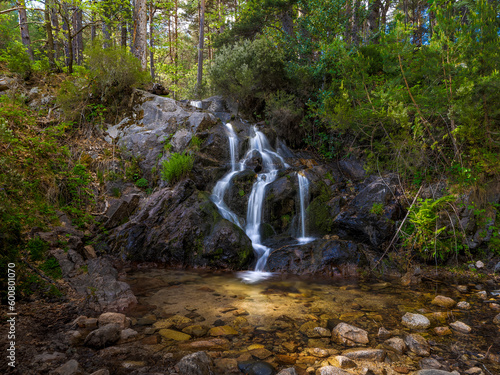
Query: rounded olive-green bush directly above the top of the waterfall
{"type": "Point", "coordinates": [247, 72]}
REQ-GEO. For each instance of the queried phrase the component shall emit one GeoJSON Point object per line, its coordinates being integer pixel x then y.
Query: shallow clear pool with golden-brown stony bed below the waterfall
{"type": "Point", "coordinates": [276, 316]}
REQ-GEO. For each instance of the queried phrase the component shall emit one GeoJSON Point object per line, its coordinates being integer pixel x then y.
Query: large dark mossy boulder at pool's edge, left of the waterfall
{"type": "Point", "coordinates": [181, 226]}
